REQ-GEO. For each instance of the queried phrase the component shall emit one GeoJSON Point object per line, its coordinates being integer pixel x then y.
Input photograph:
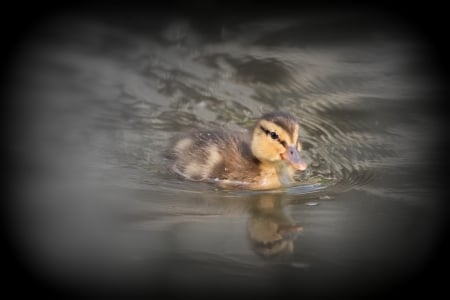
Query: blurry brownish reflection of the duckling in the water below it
{"type": "Point", "coordinates": [271, 231]}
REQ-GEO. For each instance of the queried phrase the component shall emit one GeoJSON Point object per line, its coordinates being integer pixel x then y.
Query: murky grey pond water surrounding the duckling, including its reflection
{"type": "Point", "coordinates": [98, 100]}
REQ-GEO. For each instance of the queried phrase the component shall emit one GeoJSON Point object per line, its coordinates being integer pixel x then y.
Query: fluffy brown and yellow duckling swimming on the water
{"type": "Point", "coordinates": [265, 159]}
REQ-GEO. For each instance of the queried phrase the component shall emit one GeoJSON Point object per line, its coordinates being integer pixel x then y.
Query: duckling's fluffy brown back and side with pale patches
{"type": "Point", "coordinates": [215, 156]}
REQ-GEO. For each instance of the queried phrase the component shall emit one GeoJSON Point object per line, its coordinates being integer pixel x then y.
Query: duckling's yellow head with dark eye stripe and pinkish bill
{"type": "Point", "coordinates": [275, 139]}
